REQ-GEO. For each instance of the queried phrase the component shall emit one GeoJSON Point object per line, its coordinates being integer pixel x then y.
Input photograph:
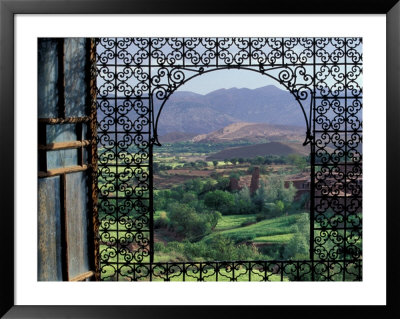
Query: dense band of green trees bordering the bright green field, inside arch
{"type": "Point", "coordinates": [194, 208]}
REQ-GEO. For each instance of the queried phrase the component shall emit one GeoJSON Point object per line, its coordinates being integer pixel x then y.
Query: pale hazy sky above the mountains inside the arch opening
{"type": "Point", "coordinates": [227, 79]}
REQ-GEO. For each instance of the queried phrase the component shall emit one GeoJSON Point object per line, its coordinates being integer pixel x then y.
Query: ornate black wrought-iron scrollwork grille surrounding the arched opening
{"type": "Point", "coordinates": [136, 76]}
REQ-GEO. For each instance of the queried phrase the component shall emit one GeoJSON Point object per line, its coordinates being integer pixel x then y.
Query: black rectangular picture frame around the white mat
{"type": "Point", "coordinates": [8, 9]}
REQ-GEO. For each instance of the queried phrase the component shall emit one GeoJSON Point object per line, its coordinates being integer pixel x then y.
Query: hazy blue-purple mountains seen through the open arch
{"type": "Point", "coordinates": [193, 113]}
